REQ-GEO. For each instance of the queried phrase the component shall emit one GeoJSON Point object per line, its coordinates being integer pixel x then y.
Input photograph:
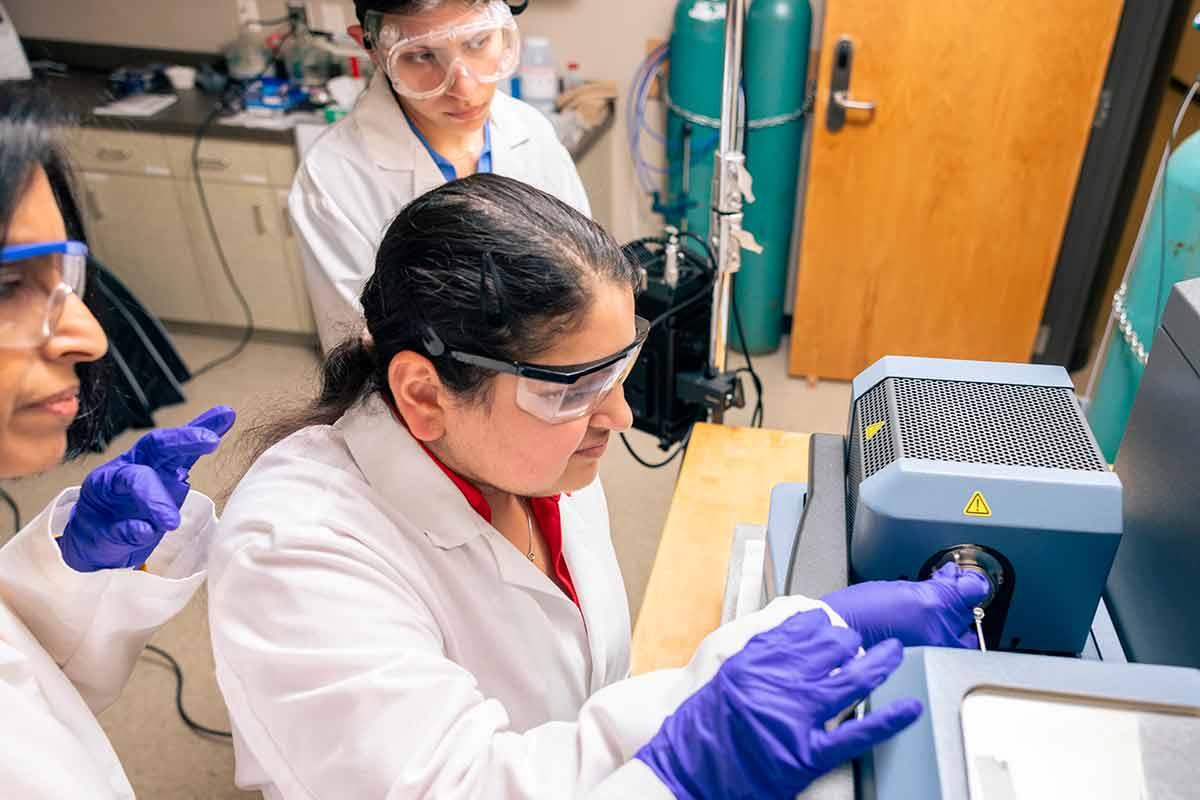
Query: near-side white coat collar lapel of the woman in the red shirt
{"type": "Point", "coordinates": [399, 470]}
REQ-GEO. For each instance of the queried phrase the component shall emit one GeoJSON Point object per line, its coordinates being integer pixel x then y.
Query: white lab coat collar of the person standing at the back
{"type": "Point", "coordinates": [393, 145]}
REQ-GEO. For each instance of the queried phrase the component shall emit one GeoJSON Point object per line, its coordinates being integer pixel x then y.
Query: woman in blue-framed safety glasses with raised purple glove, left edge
{"type": "Point", "coordinates": [86, 585]}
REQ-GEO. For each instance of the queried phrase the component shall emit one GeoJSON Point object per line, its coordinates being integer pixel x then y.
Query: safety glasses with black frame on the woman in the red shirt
{"type": "Point", "coordinates": [559, 394]}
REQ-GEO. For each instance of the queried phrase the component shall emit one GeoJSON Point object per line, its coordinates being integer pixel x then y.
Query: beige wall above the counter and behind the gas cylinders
{"type": "Point", "coordinates": [608, 38]}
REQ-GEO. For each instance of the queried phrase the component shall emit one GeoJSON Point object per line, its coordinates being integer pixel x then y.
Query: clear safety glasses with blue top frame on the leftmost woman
{"type": "Point", "coordinates": [35, 285]}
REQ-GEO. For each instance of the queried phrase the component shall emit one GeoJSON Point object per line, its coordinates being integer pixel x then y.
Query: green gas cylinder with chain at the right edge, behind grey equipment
{"type": "Point", "coordinates": [1150, 282]}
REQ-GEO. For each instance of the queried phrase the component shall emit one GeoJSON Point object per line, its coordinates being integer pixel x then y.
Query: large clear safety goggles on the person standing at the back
{"type": "Point", "coordinates": [423, 63]}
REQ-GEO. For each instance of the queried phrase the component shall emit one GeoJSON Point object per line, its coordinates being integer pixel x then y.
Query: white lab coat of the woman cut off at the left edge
{"type": "Point", "coordinates": [69, 642]}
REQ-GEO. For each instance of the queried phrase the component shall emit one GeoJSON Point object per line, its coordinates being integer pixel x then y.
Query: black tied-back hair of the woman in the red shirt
{"type": "Point", "coordinates": [488, 264]}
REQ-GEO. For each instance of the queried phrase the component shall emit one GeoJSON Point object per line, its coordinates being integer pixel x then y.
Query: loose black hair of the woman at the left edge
{"type": "Point", "coordinates": [32, 127]}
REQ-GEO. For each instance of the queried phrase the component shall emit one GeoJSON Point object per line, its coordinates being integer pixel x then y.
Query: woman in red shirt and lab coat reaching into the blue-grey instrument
{"type": "Point", "coordinates": [415, 592]}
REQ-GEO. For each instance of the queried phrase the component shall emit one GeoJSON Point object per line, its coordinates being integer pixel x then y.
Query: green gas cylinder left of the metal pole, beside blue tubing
{"type": "Point", "coordinates": [694, 89]}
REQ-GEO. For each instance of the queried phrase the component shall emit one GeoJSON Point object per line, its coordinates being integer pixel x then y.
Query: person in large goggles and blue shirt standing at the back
{"type": "Point", "coordinates": [430, 115]}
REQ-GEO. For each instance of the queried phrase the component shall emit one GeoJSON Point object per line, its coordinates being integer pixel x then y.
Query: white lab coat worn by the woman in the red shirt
{"type": "Point", "coordinates": [376, 639]}
